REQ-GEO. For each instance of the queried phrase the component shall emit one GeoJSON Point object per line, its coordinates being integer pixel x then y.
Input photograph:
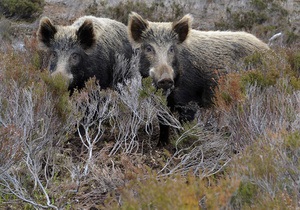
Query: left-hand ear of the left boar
{"type": "Point", "coordinates": [46, 32]}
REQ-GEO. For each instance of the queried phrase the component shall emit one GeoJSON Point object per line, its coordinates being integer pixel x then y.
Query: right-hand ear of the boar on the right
{"type": "Point", "coordinates": [182, 27]}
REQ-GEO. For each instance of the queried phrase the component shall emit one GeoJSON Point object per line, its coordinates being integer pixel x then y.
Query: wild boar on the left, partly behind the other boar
{"type": "Point", "coordinates": [85, 49]}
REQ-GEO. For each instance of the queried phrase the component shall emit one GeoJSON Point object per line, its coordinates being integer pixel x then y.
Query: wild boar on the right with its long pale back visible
{"type": "Point", "coordinates": [185, 60]}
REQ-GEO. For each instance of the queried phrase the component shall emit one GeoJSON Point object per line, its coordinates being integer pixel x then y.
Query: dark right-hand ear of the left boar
{"type": "Point", "coordinates": [86, 35]}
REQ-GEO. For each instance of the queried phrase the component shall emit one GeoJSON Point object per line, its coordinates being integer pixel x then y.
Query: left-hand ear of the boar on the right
{"type": "Point", "coordinates": [136, 26]}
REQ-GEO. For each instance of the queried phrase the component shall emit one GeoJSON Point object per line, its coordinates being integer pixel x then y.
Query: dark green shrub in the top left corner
{"type": "Point", "coordinates": [22, 8]}
